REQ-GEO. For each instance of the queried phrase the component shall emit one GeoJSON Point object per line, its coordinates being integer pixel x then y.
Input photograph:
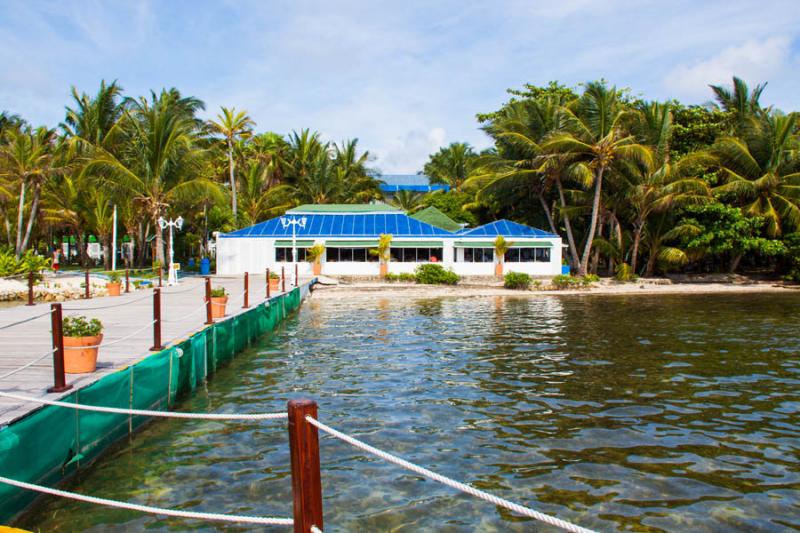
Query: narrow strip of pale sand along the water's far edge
{"type": "Point", "coordinates": [603, 288]}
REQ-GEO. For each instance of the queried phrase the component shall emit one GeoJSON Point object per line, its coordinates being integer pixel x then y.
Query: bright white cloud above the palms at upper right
{"type": "Point", "coordinates": [755, 61]}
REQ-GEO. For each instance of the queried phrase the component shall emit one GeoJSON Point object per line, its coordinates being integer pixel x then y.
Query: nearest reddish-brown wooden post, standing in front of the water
{"type": "Point", "coordinates": [306, 481]}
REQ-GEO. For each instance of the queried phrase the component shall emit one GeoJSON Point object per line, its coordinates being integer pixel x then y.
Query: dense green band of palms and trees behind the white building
{"type": "Point", "coordinates": [635, 187]}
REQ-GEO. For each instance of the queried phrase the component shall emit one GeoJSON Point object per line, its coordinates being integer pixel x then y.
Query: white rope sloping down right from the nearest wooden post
{"type": "Point", "coordinates": [520, 509]}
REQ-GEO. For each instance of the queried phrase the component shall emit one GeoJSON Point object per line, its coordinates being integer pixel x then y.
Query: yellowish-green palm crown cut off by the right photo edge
{"type": "Point", "coordinates": [762, 171]}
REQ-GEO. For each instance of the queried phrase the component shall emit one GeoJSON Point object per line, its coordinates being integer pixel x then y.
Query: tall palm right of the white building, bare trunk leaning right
{"type": "Point", "coordinates": [595, 139]}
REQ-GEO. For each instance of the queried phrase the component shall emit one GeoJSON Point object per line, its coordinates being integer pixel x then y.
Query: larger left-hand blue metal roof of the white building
{"type": "Point", "coordinates": [345, 225]}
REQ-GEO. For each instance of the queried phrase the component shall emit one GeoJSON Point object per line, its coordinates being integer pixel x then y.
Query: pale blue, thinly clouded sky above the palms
{"type": "Point", "coordinates": [404, 78]}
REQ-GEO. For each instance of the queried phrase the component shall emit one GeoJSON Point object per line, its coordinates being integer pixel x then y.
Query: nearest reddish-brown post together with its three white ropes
{"type": "Point", "coordinates": [303, 428]}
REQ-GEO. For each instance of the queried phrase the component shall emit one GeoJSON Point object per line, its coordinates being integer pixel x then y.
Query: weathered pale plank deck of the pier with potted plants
{"type": "Point", "coordinates": [182, 311]}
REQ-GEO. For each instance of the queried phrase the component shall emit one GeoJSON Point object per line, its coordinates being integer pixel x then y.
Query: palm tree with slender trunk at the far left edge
{"type": "Point", "coordinates": [28, 156]}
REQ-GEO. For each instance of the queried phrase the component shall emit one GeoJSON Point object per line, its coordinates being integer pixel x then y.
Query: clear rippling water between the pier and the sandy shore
{"type": "Point", "coordinates": [618, 413]}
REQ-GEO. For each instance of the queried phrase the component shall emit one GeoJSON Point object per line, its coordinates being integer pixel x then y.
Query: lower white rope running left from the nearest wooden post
{"type": "Point", "coordinates": [216, 517]}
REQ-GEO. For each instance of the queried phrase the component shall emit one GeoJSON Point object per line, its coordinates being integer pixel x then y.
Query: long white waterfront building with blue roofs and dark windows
{"type": "Point", "coordinates": [349, 232]}
